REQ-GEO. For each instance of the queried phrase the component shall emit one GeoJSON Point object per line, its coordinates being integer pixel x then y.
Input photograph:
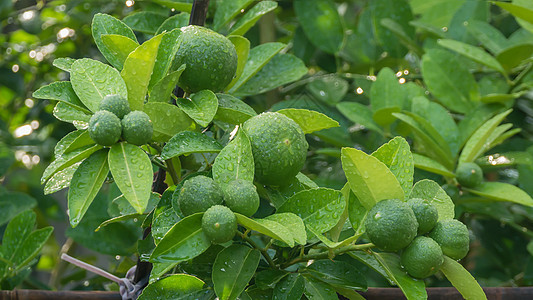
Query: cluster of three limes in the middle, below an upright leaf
{"type": "Point", "coordinates": [202, 194]}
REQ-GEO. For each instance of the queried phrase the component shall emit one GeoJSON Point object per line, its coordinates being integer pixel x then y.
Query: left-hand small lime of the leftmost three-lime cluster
{"type": "Point", "coordinates": [104, 128]}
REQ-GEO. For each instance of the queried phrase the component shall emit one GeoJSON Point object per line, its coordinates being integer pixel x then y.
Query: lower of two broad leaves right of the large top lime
{"type": "Point", "coordinates": [280, 70]}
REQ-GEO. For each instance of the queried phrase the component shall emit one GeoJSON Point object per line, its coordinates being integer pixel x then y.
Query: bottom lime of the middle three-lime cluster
{"type": "Point", "coordinates": [219, 224]}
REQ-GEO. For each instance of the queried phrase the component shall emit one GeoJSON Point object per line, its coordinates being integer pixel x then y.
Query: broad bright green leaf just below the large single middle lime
{"type": "Point", "coordinates": [319, 208]}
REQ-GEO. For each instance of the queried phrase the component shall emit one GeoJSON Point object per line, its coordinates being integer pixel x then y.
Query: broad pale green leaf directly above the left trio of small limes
{"type": "Point", "coordinates": [93, 80]}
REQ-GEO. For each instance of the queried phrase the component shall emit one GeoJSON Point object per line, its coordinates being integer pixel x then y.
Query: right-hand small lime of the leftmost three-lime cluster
{"type": "Point", "coordinates": [137, 128]}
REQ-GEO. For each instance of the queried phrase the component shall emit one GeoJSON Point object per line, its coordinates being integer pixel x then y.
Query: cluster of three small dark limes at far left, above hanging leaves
{"type": "Point", "coordinates": [114, 120]}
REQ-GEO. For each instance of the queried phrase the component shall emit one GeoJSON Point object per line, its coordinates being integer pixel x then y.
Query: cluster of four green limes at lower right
{"type": "Point", "coordinates": [413, 227]}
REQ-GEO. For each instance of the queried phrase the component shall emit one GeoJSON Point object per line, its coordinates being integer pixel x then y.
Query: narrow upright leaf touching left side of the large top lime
{"type": "Point", "coordinates": [169, 45]}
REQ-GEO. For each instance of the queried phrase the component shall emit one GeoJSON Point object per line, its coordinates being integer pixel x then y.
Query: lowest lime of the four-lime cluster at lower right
{"type": "Point", "coordinates": [422, 258]}
